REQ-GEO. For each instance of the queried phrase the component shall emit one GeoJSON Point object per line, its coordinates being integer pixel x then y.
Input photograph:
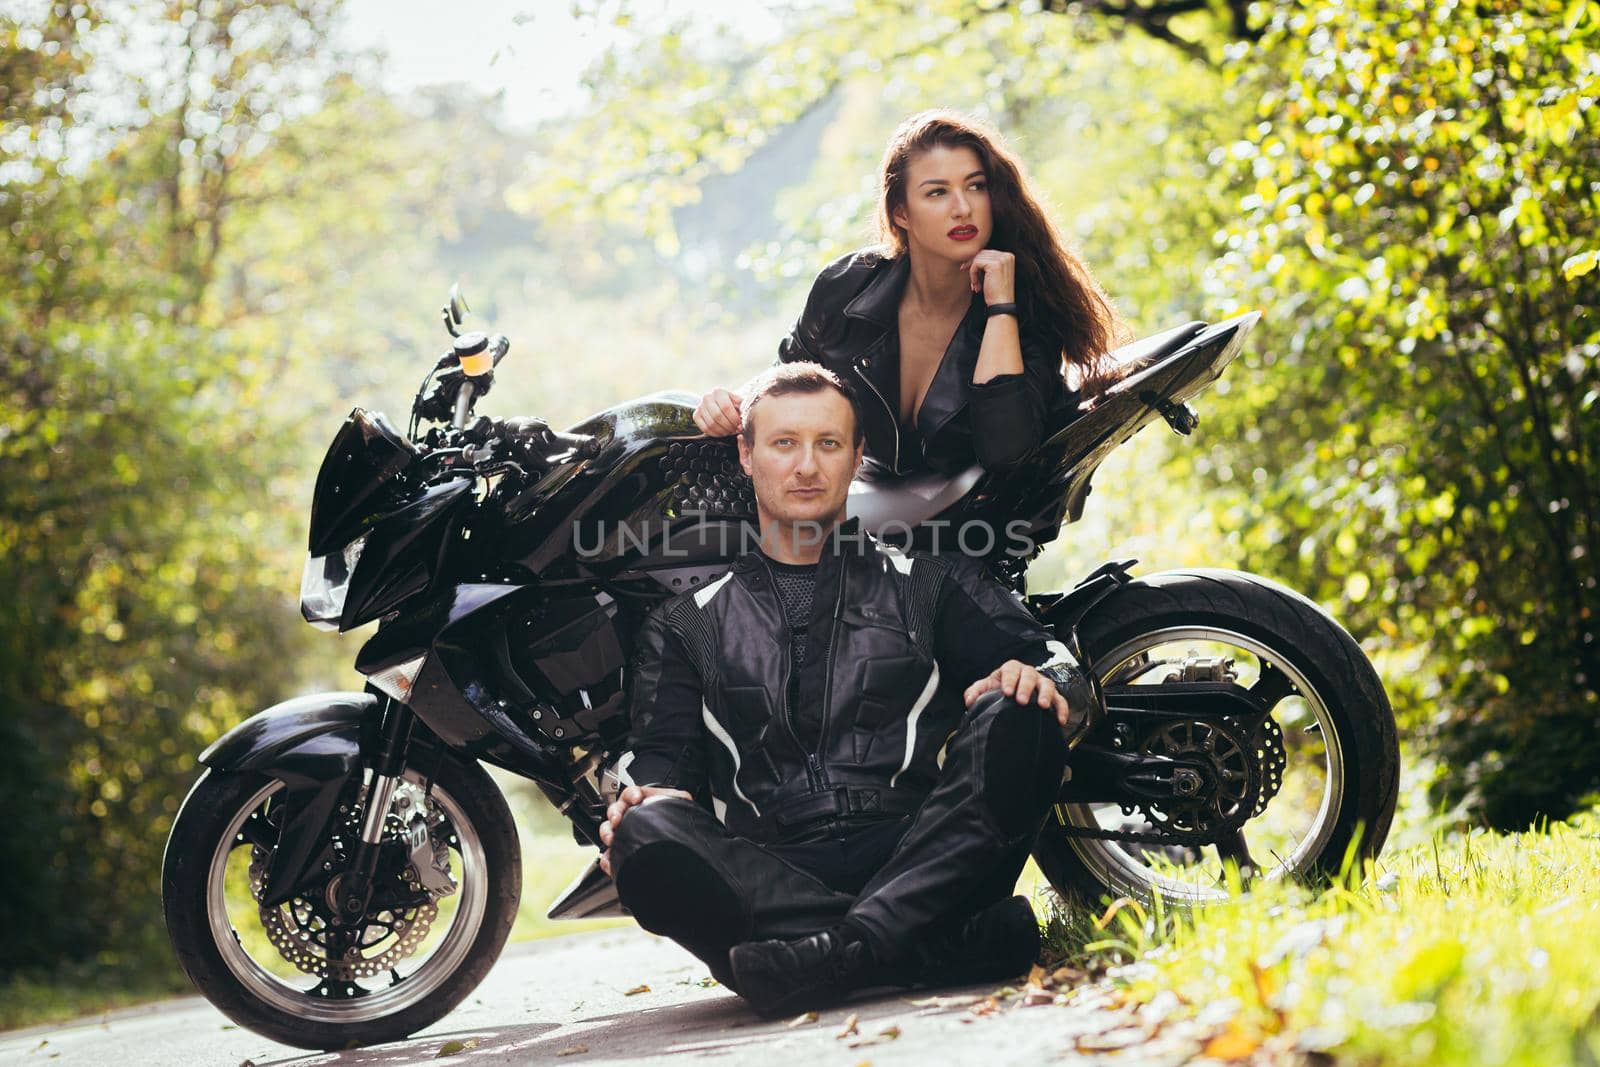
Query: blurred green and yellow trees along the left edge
{"type": "Point", "coordinates": [145, 565]}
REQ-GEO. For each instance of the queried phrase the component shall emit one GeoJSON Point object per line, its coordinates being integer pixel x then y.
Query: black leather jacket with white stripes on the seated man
{"type": "Point", "coordinates": [895, 639]}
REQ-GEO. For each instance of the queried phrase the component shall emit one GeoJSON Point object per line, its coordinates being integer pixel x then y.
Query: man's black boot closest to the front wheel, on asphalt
{"type": "Point", "coordinates": [783, 978]}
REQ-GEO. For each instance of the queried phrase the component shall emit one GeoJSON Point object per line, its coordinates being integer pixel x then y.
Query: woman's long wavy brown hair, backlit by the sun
{"type": "Point", "coordinates": [1057, 294]}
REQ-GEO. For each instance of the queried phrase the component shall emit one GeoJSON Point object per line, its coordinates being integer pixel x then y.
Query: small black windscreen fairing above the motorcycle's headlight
{"type": "Point", "coordinates": [361, 479]}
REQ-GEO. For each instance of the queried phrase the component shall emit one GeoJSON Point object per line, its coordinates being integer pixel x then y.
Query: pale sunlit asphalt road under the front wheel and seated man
{"type": "Point", "coordinates": [569, 1001]}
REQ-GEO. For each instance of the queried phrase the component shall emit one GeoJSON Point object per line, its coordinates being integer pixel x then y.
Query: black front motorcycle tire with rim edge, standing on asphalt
{"type": "Point", "coordinates": [486, 861]}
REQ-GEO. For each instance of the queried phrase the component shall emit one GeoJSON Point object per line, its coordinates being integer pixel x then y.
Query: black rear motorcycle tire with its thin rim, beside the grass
{"type": "Point", "coordinates": [1335, 687]}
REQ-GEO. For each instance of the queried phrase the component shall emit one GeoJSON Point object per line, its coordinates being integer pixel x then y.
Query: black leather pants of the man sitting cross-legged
{"type": "Point", "coordinates": [895, 879]}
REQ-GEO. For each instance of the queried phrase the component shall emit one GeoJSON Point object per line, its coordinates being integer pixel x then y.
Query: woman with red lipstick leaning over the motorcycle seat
{"type": "Point", "coordinates": [956, 330]}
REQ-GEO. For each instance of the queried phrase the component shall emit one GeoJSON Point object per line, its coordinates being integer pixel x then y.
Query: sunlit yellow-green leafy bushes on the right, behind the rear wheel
{"type": "Point", "coordinates": [1417, 436]}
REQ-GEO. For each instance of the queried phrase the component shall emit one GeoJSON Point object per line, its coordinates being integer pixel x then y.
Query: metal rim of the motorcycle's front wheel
{"type": "Point", "coordinates": [294, 993]}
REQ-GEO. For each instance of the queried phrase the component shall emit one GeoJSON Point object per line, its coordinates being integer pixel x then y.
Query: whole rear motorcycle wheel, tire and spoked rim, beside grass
{"type": "Point", "coordinates": [1327, 759]}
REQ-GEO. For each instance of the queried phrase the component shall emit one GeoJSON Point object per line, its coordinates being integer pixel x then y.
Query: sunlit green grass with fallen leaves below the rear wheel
{"type": "Point", "coordinates": [1471, 948]}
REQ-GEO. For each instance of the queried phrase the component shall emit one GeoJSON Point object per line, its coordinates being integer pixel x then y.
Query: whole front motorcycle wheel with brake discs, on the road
{"type": "Point", "coordinates": [290, 973]}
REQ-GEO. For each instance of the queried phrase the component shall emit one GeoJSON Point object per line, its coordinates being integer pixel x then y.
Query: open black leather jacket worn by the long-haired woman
{"type": "Point", "coordinates": [852, 326]}
